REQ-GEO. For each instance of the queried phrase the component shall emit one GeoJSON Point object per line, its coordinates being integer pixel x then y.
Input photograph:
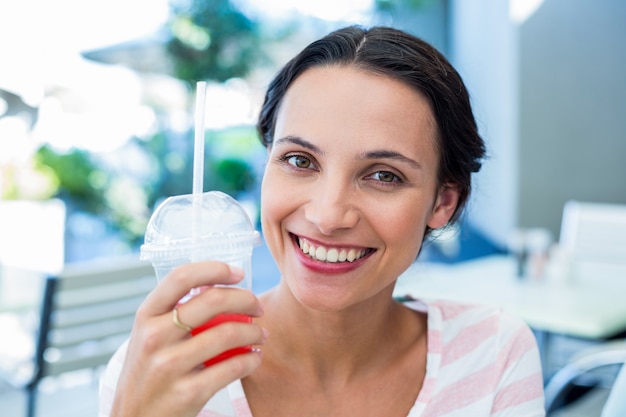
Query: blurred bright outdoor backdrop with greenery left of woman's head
{"type": "Point", "coordinates": [96, 109]}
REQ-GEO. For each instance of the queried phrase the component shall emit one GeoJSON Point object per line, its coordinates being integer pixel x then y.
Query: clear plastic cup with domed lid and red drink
{"type": "Point", "coordinates": [197, 227]}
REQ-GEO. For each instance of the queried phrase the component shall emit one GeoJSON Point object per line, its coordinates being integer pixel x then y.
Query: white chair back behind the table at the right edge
{"type": "Point", "coordinates": [593, 235]}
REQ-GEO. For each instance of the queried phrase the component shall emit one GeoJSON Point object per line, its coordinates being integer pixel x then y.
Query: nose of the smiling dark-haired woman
{"type": "Point", "coordinates": [332, 208]}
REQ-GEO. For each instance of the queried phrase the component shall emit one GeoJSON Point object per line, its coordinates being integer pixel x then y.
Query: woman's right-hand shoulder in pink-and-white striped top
{"type": "Point", "coordinates": [485, 348]}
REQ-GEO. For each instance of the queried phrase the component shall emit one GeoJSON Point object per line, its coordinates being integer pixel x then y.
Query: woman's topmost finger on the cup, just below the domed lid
{"type": "Point", "coordinates": [182, 279]}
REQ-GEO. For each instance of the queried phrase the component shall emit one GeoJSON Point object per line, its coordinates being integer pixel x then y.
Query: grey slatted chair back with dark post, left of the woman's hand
{"type": "Point", "coordinates": [87, 311]}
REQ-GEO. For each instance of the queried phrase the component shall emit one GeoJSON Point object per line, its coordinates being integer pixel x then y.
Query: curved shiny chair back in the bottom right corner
{"type": "Point", "coordinates": [601, 365]}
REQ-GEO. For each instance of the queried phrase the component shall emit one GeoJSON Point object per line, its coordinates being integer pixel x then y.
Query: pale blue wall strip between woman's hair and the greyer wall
{"type": "Point", "coordinates": [485, 52]}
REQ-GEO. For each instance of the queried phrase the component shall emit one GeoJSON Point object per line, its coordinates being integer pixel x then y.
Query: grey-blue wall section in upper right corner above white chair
{"type": "Point", "coordinates": [572, 107]}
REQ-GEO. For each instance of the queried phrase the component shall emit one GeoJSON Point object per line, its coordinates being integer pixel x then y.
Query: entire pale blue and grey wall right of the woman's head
{"type": "Point", "coordinates": [549, 94]}
